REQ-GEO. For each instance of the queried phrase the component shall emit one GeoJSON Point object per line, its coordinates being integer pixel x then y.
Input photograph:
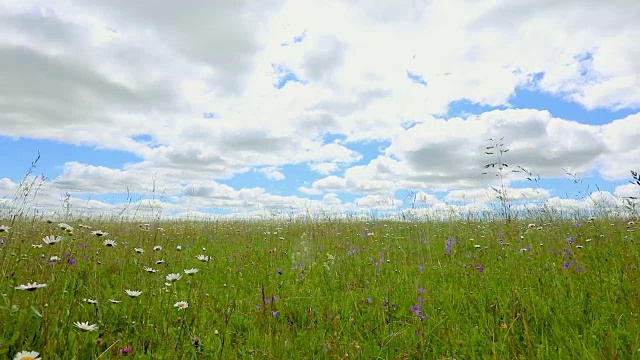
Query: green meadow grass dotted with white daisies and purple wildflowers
{"type": "Point", "coordinates": [339, 293]}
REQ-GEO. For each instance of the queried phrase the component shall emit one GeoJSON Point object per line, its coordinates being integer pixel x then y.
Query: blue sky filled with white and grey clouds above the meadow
{"type": "Point", "coordinates": [246, 107]}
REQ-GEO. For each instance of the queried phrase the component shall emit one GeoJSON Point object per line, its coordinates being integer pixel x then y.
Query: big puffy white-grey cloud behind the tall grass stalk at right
{"type": "Point", "coordinates": [446, 154]}
